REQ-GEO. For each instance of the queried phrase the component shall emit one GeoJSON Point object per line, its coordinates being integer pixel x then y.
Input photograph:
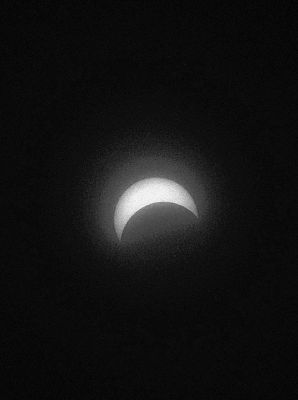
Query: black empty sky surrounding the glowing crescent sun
{"type": "Point", "coordinates": [201, 315]}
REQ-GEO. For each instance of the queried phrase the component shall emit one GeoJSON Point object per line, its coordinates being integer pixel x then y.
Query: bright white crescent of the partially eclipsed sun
{"type": "Point", "coordinates": [149, 191]}
